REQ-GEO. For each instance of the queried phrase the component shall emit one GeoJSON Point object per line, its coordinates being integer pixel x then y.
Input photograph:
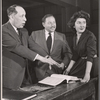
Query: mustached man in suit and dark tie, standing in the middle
{"type": "Point", "coordinates": [58, 49]}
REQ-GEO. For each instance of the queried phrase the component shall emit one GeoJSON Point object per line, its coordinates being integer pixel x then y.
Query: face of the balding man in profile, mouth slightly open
{"type": "Point", "coordinates": [19, 19]}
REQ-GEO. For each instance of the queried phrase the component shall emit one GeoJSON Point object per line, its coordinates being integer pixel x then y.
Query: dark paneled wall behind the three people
{"type": "Point", "coordinates": [62, 15]}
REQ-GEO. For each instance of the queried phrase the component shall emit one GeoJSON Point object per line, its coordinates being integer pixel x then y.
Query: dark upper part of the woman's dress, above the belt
{"type": "Point", "coordinates": [86, 46]}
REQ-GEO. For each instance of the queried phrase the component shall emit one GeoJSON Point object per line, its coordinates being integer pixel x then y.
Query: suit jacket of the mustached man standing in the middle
{"type": "Point", "coordinates": [60, 52]}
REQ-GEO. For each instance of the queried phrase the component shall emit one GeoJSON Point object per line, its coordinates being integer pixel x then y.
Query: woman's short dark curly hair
{"type": "Point", "coordinates": [80, 14]}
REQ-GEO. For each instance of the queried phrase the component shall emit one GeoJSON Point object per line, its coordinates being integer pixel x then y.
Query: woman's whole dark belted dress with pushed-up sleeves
{"type": "Point", "coordinates": [86, 47]}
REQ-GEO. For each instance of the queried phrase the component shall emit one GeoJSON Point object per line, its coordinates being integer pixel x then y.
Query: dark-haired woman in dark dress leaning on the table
{"type": "Point", "coordinates": [84, 47]}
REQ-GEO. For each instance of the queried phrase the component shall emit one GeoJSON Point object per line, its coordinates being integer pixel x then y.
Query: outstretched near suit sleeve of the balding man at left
{"type": "Point", "coordinates": [14, 46]}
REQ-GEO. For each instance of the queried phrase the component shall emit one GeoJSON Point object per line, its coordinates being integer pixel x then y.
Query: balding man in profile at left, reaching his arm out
{"type": "Point", "coordinates": [15, 48]}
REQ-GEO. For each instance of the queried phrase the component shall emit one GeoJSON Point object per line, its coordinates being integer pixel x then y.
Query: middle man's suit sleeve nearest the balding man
{"type": "Point", "coordinates": [35, 47]}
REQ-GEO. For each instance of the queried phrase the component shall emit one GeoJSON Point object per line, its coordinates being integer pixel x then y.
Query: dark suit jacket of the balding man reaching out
{"type": "Point", "coordinates": [14, 56]}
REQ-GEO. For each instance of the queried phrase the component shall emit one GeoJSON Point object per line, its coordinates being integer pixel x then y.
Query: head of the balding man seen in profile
{"type": "Point", "coordinates": [16, 16]}
